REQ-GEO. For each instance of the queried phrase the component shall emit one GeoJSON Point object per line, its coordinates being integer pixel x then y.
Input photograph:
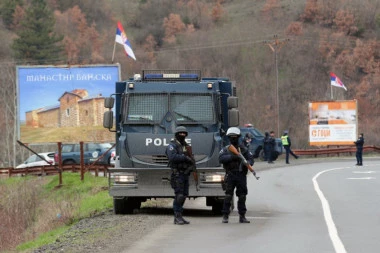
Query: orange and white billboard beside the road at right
{"type": "Point", "coordinates": [333, 123]}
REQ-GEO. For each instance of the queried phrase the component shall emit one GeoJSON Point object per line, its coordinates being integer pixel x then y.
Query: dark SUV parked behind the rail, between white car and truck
{"type": "Point", "coordinates": [91, 152]}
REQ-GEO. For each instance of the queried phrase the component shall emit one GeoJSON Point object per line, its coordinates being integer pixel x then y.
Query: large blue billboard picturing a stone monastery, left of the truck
{"type": "Point", "coordinates": [64, 103]}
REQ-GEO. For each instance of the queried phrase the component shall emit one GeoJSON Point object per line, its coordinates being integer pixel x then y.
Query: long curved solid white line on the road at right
{"type": "Point", "coordinates": [333, 232]}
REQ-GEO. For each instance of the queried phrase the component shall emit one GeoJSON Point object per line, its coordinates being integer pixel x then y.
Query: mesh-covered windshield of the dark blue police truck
{"type": "Point", "coordinates": [186, 108]}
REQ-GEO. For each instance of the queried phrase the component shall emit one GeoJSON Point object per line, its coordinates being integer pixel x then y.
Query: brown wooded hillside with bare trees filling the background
{"type": "Point", "coordinates": [247, 41]}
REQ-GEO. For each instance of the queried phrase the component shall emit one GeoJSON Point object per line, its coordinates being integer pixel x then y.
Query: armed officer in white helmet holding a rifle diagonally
{"type": "Point", "coordinates": [236, 175]}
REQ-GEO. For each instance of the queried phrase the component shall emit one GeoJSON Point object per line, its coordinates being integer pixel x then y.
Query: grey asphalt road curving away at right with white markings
{"type": "Point", "coordinates": [328, 206]}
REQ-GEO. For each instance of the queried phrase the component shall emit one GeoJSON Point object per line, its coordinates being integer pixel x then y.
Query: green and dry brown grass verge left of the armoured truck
{"type": "Point", "coordinates": [35, 211]}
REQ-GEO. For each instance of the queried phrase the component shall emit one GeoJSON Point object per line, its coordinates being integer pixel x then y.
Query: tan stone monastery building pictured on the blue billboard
{"type": "Point", "coordinates": [75, 109]}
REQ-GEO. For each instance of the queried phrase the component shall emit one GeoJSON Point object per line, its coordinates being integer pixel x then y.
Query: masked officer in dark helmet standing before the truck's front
{"type": "Point", "coordinates": [179, 164]}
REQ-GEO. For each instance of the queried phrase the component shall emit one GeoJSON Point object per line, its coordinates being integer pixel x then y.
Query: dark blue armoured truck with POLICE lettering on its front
{"type": "Point", "coordinates": [148, 108]}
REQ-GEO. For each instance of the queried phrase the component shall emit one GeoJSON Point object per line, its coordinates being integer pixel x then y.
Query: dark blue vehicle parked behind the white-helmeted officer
{"type": "Point", "coordinates": [257, 142]}
